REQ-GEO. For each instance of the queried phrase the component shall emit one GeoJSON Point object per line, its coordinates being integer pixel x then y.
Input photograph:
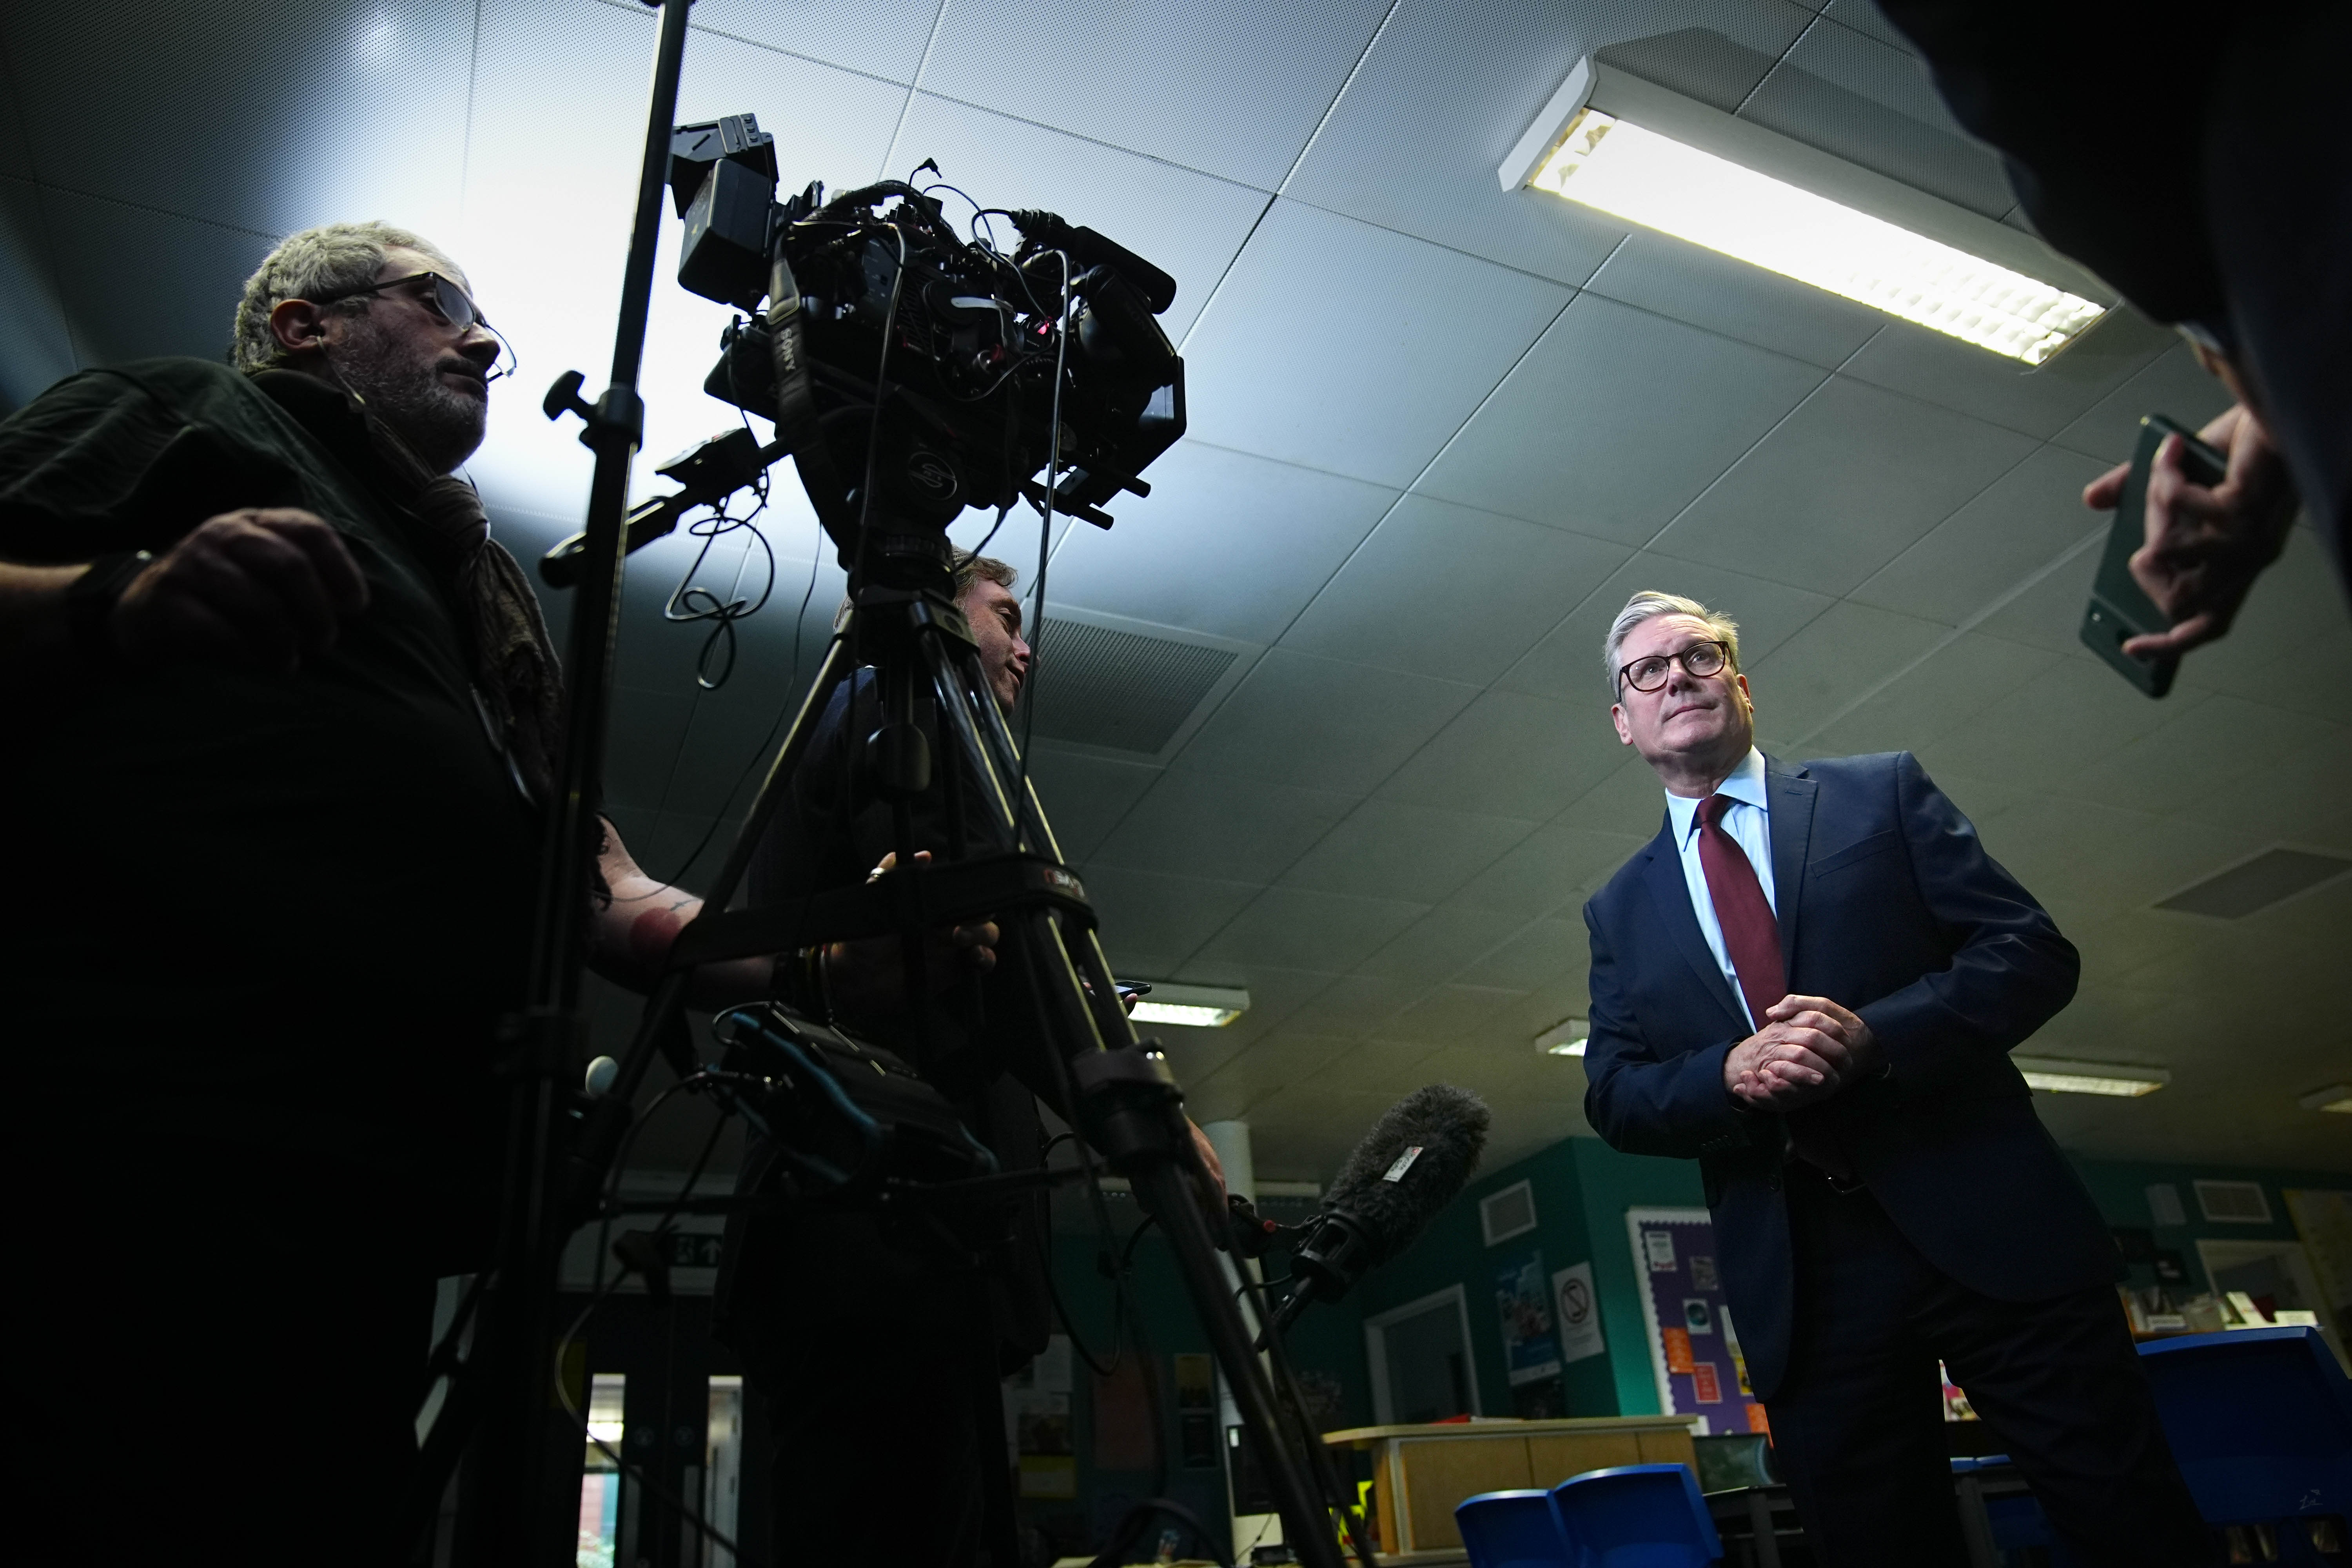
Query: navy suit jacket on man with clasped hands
{"type": "Point", "coordinates": [1887, 904]}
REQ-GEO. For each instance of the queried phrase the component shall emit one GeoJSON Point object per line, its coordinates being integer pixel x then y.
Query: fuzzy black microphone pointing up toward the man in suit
{"type": "Point", "coordinates": [1415, 1160]}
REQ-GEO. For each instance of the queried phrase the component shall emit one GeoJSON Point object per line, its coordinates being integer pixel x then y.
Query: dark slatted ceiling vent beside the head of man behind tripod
{"type": "Point", "coordinates": [1121, 690]}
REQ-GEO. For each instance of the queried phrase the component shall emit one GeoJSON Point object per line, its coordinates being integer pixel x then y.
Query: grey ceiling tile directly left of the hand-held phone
{"type": "Point", "coordinates": [2022, 523]}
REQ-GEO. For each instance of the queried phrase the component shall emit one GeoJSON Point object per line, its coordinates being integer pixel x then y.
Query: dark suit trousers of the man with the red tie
{"type": "Point", "coordinates": [1859, 1419]}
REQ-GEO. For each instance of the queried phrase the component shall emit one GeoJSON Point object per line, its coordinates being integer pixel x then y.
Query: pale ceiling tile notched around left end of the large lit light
{"type": "Point", "coordinates": [1450, 88]}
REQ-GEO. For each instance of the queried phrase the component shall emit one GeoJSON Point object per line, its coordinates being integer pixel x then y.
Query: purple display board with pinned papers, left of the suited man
{"type": "Point", "coordinates": [1695, 1348]}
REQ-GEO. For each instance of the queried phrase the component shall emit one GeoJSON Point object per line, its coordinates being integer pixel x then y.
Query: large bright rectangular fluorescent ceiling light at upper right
{"type": "Point", "coordinates": [1662, 161]}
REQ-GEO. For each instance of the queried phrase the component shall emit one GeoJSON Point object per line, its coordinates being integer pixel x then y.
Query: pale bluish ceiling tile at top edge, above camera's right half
{"type": "Point", "coordinates": [1220, 86]}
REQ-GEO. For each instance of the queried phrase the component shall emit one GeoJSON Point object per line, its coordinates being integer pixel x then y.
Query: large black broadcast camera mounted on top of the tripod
{"type": "Point", "coordinates": [914, 373]}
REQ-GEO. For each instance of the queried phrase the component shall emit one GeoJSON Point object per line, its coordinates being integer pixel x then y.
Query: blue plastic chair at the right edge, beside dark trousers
{"type": "Point", "coordinates": [2261, 1421]}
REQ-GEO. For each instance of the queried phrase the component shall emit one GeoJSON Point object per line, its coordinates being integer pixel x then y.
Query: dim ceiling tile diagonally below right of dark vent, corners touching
{"type": "Point", "coordinates": [1217, 826]}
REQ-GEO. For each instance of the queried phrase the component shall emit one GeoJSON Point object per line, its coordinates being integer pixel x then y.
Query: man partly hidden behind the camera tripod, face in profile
{"type": "Point", "coordinates": [881, 1353]}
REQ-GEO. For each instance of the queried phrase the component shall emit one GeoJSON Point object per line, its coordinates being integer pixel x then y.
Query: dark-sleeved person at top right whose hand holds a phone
{"type": "Point", "coordinates": [2196, 159]}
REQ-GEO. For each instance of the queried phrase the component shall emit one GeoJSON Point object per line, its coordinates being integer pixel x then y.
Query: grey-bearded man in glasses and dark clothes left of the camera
{"type": "Point", "coordinates": [281, 728]}
